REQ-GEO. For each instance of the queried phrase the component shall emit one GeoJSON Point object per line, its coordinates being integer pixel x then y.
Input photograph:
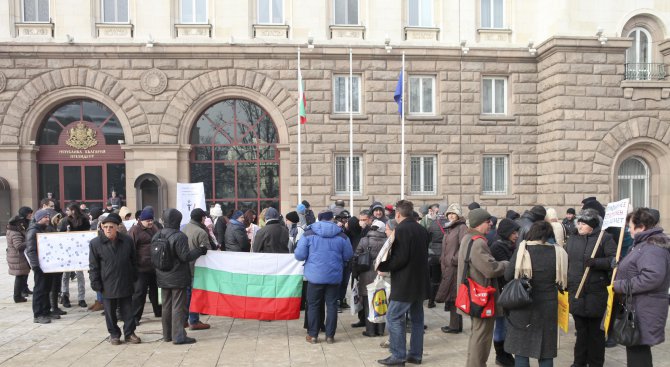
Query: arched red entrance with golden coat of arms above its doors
{"type": "Point", "coordinates": [80, 158]}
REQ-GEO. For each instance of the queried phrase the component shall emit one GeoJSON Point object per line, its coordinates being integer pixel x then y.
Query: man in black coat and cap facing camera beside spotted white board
{"type": "Point", "coordinates": [113, 271]}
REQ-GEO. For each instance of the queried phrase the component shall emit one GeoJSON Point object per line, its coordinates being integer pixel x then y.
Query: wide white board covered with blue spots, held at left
{"type": "Point", "coordinates": [64, 251]}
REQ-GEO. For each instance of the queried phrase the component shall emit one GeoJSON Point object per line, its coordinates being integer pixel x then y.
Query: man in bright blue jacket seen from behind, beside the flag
{"type": "Point", "coordinates": [325, 249]}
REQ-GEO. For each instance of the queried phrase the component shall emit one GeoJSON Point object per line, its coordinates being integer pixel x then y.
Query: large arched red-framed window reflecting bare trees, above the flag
{"type": "Point", "coordinates": [234, 153]}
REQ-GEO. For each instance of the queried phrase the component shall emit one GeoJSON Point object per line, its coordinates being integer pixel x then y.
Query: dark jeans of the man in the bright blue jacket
{"type": "Point", "coordinates": [315, 293]}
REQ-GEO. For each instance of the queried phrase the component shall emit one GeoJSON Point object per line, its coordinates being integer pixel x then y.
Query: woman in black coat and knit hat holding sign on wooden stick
{"type": "Point", "coordinates": [588, 307]}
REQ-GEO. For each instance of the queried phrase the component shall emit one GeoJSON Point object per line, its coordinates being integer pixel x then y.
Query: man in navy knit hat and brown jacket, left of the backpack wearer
{"type": "Point", "coordinates": [142, 234]}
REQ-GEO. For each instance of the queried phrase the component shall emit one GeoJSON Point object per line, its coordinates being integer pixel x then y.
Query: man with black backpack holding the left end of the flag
{"type": "Point", "coordinates": [173, 282]}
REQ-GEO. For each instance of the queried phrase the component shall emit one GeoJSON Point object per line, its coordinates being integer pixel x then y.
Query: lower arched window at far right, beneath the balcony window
{"type": "Point", "coordinates": [634, 181]}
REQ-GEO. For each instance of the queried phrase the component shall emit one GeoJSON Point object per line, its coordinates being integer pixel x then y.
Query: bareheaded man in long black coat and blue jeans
{"type": "Point", "coordinates": [408, 264]}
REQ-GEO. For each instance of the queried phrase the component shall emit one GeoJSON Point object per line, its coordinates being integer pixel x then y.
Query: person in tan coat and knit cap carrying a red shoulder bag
{"type": "Point", "coordinates": [484, 269]}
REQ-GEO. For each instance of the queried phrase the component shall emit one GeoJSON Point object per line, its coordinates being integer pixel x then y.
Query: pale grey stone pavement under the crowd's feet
{"type": "Point", "coordinates": [80, 339]}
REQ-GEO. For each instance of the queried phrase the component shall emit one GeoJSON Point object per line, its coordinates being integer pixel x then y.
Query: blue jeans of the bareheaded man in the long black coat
{"type": "Point", "coordinates": [395, 323]}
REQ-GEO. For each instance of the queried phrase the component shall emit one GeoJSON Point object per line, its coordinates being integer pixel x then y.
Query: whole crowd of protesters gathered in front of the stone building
{"type": "Point", "coordinates": [427, 252]}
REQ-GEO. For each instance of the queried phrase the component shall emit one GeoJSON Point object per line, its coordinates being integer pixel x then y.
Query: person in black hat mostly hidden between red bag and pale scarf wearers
{"type": "Point", "coordinates": [502, 250]}
